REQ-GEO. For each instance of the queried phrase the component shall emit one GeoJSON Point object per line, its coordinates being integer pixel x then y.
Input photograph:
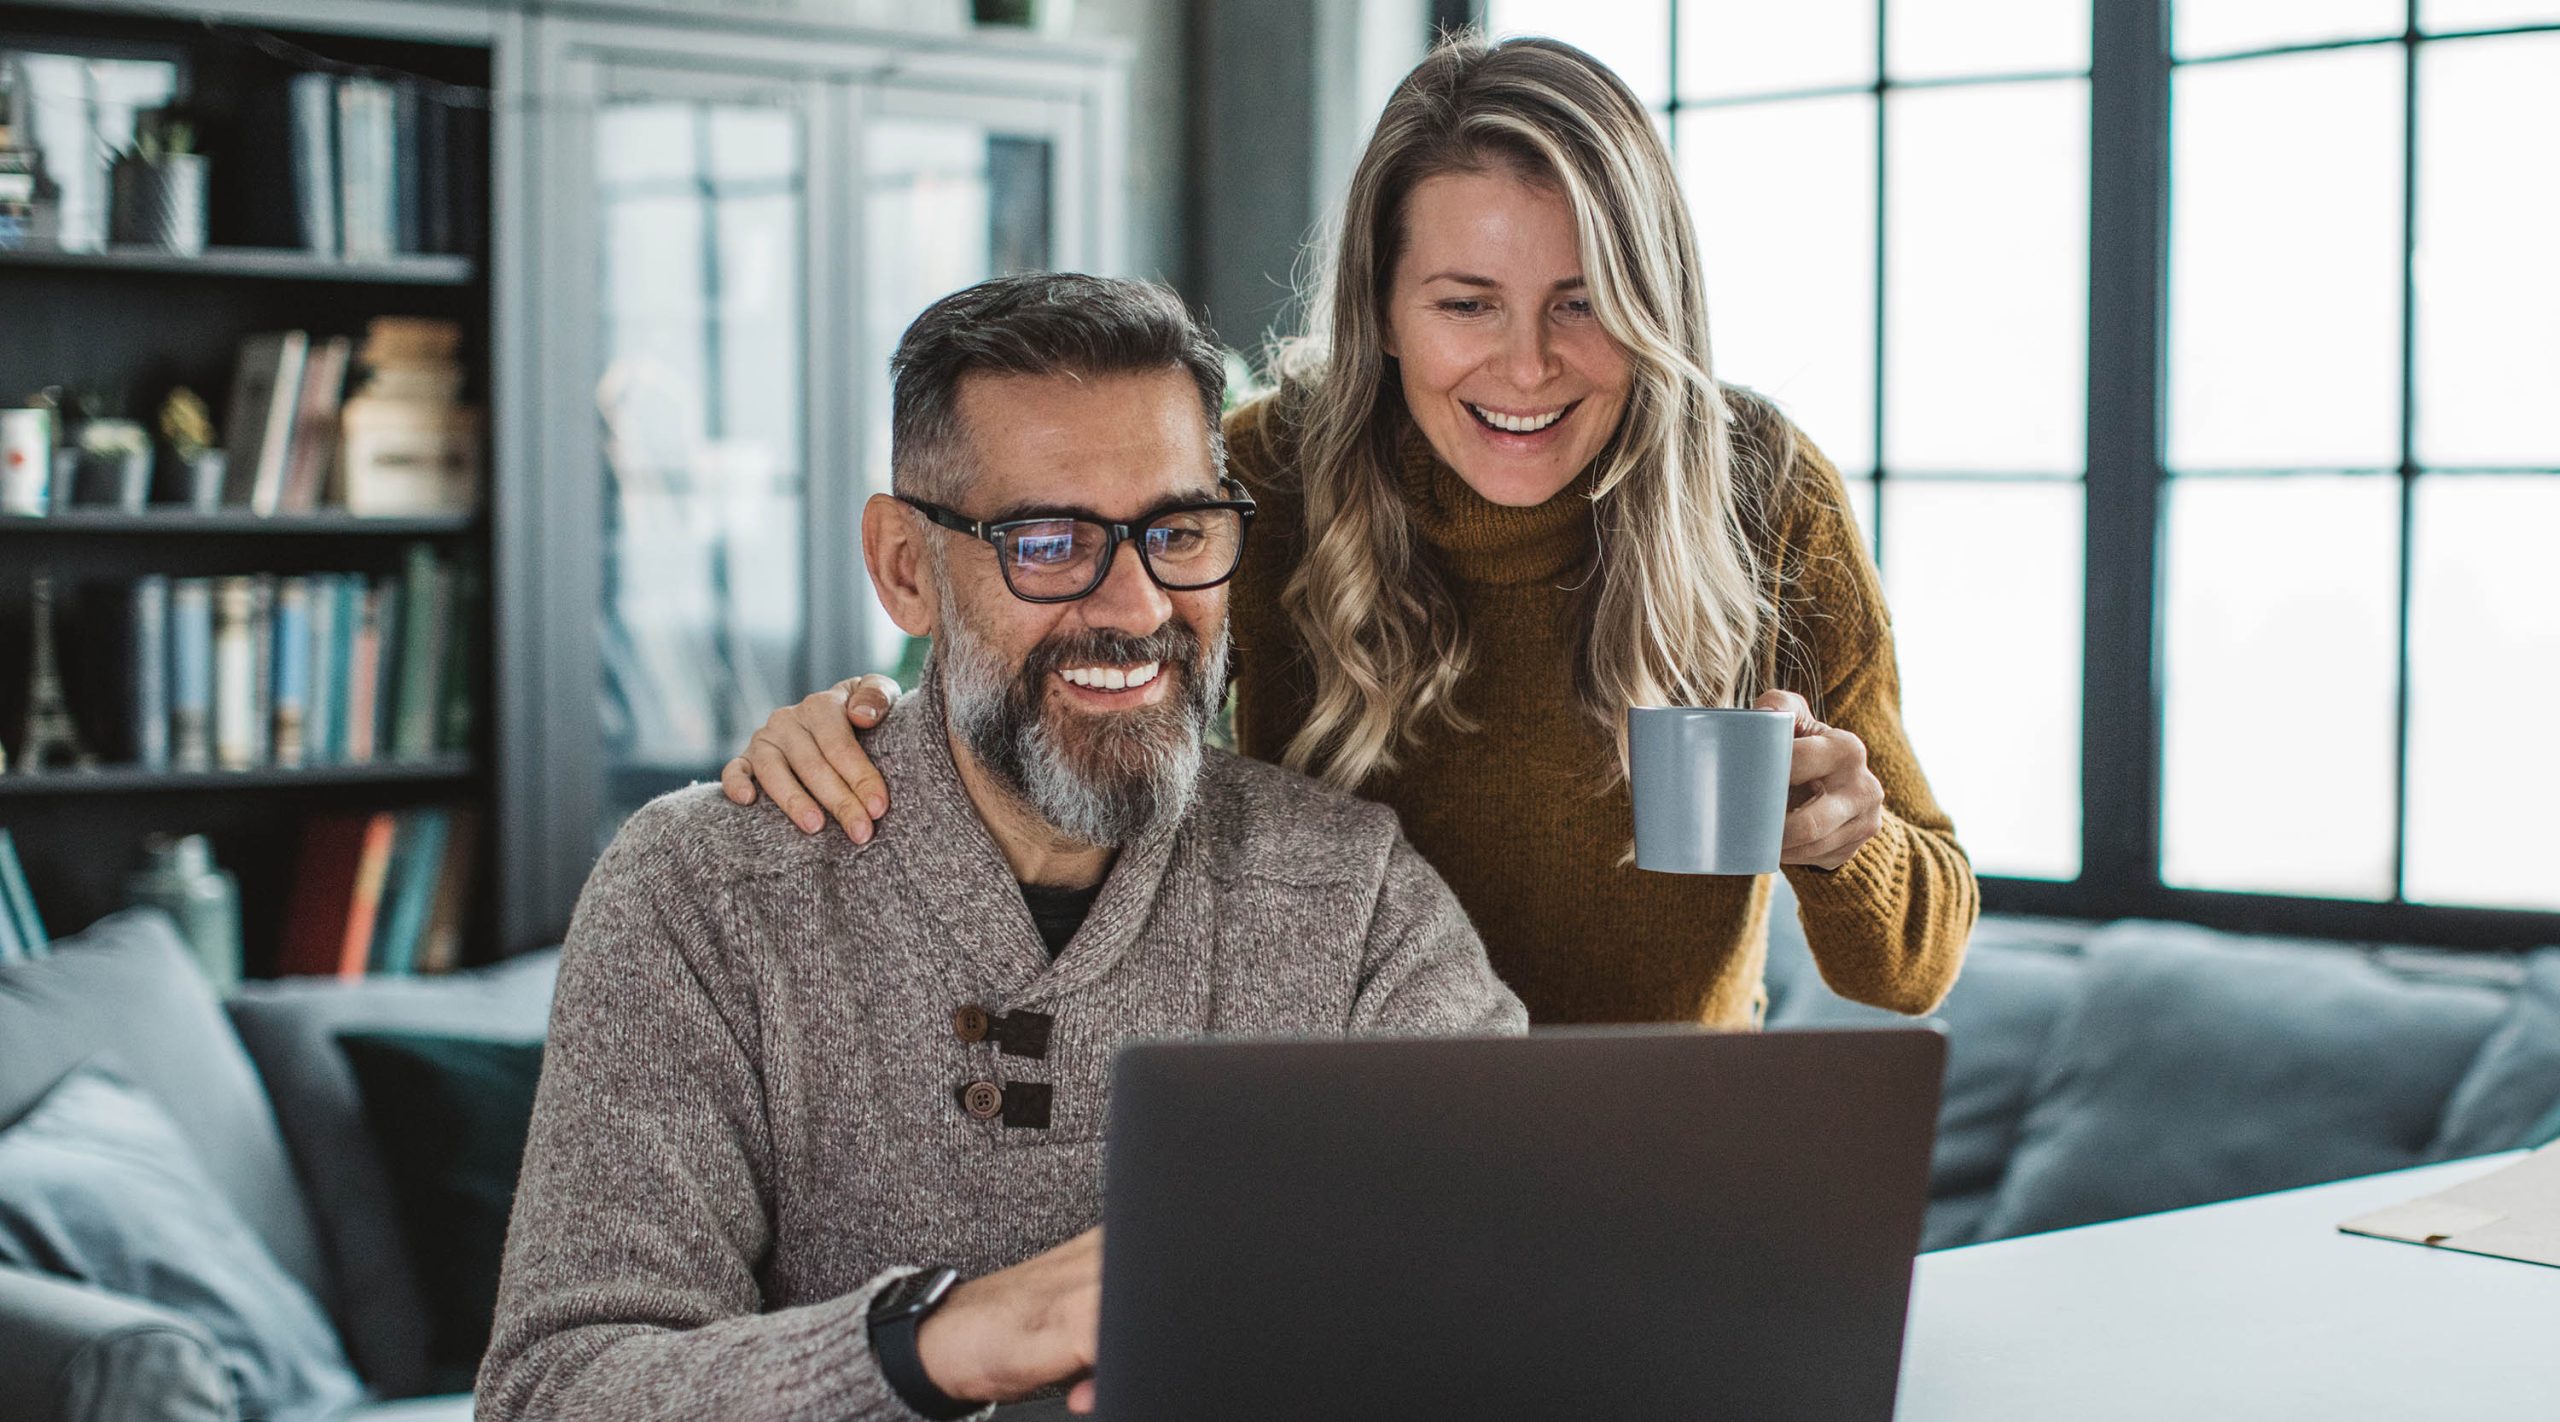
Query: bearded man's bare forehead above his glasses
{"type": "Point", "coordinates": [1115, 442]}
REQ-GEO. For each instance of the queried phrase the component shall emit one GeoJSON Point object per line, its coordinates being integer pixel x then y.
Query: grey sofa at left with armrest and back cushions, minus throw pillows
{"type": "Point", "coordinates": [270, 1108]}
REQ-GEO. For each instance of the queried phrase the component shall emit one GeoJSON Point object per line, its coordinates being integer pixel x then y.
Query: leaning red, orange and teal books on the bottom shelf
{"type": "Point", "coordinates": [380, 893]}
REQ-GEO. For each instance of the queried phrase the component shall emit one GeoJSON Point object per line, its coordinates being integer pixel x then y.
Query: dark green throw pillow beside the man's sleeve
{"type": "Point", "coordinates": [449, 1118]}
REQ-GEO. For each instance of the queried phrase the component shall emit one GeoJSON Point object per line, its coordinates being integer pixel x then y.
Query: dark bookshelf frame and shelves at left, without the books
{"type": "Point", "coordinates": [134, 324]}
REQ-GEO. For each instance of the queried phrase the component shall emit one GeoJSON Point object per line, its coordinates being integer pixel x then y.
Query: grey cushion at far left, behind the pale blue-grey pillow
{"type": "Point", "coordinates": [127, 988]}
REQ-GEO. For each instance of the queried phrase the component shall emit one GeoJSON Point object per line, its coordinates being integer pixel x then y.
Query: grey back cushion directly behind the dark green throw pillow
{"type": "Point", "coordinates": [293, 1031]}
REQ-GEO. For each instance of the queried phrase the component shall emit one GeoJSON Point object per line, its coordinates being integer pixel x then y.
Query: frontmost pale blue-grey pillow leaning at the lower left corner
{"type": "Point", "coordinates": [99, 1185]}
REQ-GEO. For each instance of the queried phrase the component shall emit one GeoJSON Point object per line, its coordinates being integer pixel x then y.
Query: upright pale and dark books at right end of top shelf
{"type": "Point", "coordinates": [378, 168]}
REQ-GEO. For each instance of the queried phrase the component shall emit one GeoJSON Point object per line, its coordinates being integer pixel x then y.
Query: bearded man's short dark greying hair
{"type": "Point", "coordinates": [1033, 324]}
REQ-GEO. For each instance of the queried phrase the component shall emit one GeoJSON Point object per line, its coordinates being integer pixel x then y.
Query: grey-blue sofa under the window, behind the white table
{"type": "Point", "coordinates": [2121, 1070]}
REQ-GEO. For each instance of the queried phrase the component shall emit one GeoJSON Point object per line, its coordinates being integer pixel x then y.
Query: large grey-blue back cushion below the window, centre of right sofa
{"type": "Point", "coordinates": [2203, 1067]}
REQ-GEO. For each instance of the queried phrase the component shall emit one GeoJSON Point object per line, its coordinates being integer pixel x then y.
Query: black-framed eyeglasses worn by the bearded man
{"type": "Point", "coordinates": [1069, 555]}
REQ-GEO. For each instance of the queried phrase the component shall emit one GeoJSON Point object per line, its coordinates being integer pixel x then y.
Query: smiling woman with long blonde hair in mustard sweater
{"type": "Point", "coordinates": [1504, 501]}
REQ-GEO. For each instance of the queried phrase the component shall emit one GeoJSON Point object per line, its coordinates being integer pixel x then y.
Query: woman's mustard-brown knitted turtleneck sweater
{"type": "Point", "coordinates": [1524, 816]}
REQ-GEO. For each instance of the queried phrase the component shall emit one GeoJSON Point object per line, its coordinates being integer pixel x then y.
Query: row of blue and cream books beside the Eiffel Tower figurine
{"type": "Point", "coordinates": [311, 670]}
